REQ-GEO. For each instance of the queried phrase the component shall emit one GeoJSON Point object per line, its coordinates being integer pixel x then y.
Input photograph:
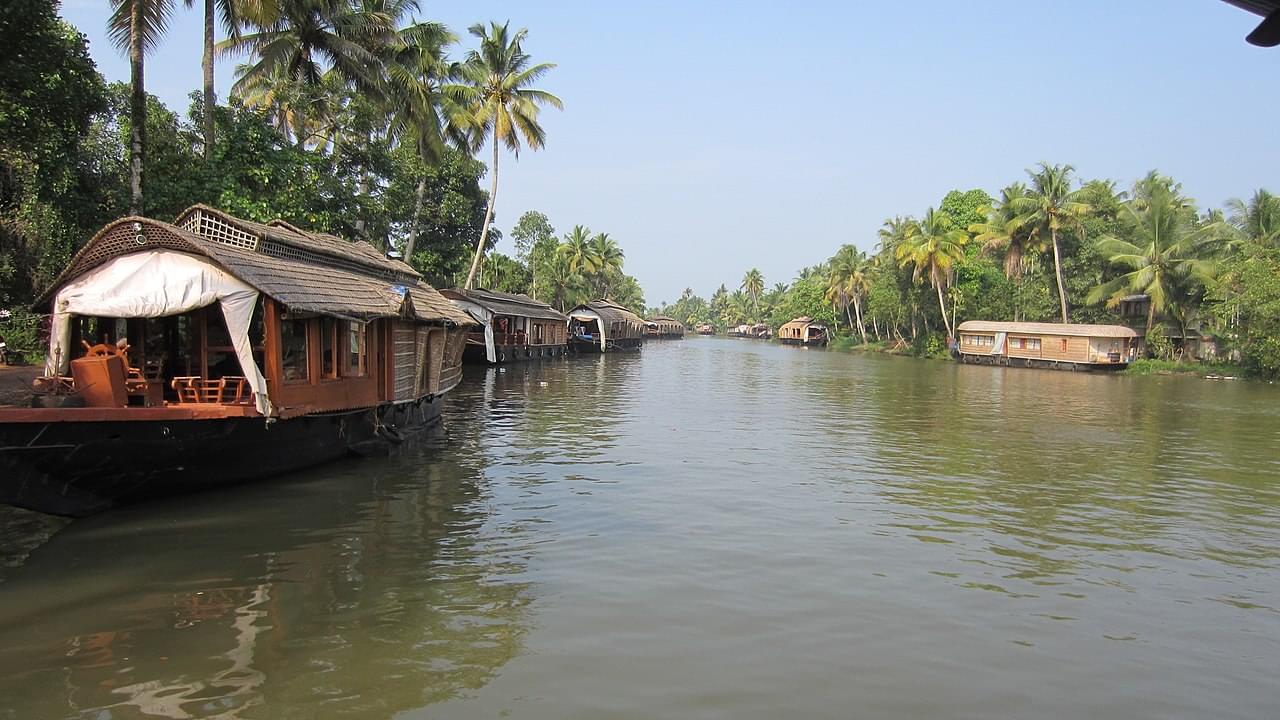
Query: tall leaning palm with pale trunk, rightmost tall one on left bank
{"type": "Point", "coordinates": [502, 106]}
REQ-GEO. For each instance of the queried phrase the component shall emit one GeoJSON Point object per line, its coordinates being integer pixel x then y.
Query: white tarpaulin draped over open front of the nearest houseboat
{"type": "Point", "coordinates": [158, 284]}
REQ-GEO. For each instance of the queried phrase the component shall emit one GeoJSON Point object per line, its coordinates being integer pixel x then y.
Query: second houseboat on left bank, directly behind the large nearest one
{"type": "Point", "coordinates": [513, 327]}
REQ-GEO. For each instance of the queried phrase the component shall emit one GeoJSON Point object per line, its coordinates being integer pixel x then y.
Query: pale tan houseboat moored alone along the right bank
{"type": "Point", "coordinates": [1046, 345]}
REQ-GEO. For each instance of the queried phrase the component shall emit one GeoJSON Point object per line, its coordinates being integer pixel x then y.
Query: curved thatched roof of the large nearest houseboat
{"type": "Point", "coordinates": [312, 285]}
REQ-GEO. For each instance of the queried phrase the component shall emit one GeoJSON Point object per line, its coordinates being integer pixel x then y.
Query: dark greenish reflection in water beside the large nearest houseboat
{"type": "Point", "coordinates": [372, 590]}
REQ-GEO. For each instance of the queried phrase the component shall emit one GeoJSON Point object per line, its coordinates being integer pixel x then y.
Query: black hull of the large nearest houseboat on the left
{"type": "Point", "coordinates": [81, 468]}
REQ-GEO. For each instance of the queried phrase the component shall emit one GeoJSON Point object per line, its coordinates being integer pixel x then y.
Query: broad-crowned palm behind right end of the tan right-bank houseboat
{"type": "Point", "coordinates": [1171, 250]}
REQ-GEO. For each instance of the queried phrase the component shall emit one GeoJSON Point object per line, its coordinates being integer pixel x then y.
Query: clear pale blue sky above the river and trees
{"type": "Point", "coordinates": [711, 138]}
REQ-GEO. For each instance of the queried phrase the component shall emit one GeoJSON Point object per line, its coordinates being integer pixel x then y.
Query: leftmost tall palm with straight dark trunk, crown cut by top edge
{"type": "Point", "coordinates": [136, 28]}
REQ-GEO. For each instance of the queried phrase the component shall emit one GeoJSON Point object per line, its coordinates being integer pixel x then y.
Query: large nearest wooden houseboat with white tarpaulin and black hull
{"type": "Point", "coordinates": [217, 350]}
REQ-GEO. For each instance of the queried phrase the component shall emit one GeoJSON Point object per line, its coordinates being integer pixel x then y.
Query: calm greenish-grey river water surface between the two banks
{"type": "Point", "coordinates": [711, 528]}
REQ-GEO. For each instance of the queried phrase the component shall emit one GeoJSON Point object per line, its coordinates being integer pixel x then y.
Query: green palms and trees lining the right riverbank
{"type": "Point", "coordinates": [1199, 284]}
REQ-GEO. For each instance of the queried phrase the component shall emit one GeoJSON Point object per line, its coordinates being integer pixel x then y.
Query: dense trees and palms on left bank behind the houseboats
{"type": "Point", "coordinates": [350, 119]}
